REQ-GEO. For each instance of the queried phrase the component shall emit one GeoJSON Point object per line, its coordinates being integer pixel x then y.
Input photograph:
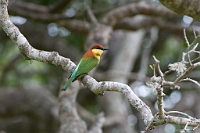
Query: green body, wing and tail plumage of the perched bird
{"type": "Point", "coordinates": [84, 66]}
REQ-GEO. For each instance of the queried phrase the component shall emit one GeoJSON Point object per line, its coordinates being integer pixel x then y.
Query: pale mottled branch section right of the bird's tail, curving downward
{"type": "Point", "coordinates": [101, 87]}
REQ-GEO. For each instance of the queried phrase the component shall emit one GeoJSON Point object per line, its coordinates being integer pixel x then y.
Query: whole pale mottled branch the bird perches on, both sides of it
{"type": "Point", "coordinates": [53, 57]}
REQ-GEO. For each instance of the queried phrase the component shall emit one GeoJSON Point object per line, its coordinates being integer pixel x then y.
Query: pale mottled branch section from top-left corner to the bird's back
{"type": "Point", "coordinates": [26, 49]}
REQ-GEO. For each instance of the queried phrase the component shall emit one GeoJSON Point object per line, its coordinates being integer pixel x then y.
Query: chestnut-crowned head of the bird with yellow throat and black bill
{"type": "Point", "coordinates": [97, 50]}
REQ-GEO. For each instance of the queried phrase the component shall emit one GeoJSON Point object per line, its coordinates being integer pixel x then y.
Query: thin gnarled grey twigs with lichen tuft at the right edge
{"type": "Point", "coordinates": [159, 82]}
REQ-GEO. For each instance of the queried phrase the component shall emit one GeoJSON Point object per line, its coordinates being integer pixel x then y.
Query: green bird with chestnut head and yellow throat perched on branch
{"type": "Point", "coordinates": [89, 60]}
